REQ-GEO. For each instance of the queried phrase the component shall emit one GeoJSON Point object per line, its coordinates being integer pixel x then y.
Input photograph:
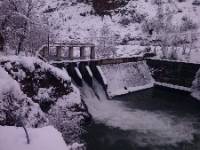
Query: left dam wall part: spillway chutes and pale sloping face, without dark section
{"type": "Point", "coordinates": [116, 79]}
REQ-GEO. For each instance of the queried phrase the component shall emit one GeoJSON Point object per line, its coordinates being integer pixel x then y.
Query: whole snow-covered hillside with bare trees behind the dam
{"type": "Point", "coordinates": [116, 27]}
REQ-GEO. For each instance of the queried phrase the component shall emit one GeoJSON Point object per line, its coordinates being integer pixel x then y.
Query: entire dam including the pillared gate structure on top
{"type": "Point", "coordinates": [130, 74]}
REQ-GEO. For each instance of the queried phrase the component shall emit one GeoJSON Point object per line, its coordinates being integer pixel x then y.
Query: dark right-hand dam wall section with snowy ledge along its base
{"type": "Point", "coordinates": [173, 74]}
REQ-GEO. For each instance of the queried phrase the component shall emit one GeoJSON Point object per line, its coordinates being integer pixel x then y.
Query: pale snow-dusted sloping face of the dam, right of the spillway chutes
{"type": "Point", "coordinates": [127, 77]}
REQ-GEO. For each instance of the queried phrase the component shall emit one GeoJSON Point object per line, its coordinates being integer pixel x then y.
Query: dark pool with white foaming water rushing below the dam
{"type": "Point", "coordinates": [154, 119]}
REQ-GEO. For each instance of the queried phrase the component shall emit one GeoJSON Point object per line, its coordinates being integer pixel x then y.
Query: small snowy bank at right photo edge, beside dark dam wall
{"type": "Point", "coordinates": [196, 86]}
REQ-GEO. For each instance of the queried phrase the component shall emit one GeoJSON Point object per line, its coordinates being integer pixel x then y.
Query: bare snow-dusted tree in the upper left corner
{"type": "Point", "coordinates": [19, 24]}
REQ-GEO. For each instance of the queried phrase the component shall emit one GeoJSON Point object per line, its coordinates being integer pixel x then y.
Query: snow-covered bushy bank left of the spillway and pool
{"type": "Point", "coordinates": [50, 97]}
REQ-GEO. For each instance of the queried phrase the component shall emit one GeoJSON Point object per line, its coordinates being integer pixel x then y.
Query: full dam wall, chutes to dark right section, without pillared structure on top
{"type": "Point", "coordinates": [122, 76]}
